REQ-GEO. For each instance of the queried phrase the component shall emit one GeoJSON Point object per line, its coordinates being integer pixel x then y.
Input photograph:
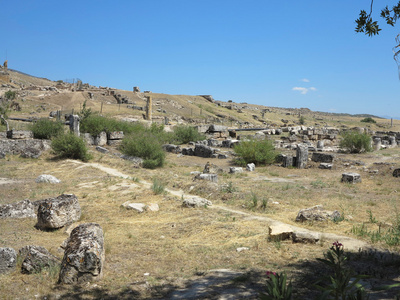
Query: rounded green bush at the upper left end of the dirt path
{"type": "Point", "coordinates": [70, 146]}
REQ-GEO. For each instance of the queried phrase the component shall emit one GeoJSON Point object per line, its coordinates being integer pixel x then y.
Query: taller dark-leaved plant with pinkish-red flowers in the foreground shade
{"type": "Point", "coordinates": [343, 282]}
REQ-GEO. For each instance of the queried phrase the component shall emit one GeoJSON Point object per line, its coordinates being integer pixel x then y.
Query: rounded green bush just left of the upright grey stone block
{"type": "Point", "coordinates": [257, 152]}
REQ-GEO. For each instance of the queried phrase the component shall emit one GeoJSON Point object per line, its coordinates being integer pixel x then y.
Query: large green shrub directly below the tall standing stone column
{"type": "Point", "coordinates": [145, 145]}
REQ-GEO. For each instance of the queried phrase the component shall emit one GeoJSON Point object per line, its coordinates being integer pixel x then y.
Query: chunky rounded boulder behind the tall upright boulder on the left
{"type": "Point", "coordinates": [56, 212]}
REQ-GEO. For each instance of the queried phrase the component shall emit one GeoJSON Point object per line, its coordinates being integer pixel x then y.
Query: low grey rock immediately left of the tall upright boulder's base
{"type": "Point", "coordinates": [35, 258]}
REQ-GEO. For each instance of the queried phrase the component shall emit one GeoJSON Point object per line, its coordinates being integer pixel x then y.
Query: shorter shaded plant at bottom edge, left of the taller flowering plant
{"type": "Point", "coordinates": [277, 287]}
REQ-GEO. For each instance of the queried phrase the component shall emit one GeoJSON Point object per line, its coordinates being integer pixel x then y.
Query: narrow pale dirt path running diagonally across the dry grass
{"type": "Point", "coordinates": [351, 243]}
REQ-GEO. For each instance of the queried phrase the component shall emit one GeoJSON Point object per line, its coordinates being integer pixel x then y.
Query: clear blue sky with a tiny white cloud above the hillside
{"type": "Point", "coordinates": [274, 53]}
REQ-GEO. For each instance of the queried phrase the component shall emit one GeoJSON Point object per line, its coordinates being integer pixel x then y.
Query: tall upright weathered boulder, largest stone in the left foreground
{"type": "Point", "coordinates": [84, 255]}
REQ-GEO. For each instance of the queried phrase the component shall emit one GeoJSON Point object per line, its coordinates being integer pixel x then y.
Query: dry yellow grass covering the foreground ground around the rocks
{"type": "Point", "coordinates": [176, 243]}
